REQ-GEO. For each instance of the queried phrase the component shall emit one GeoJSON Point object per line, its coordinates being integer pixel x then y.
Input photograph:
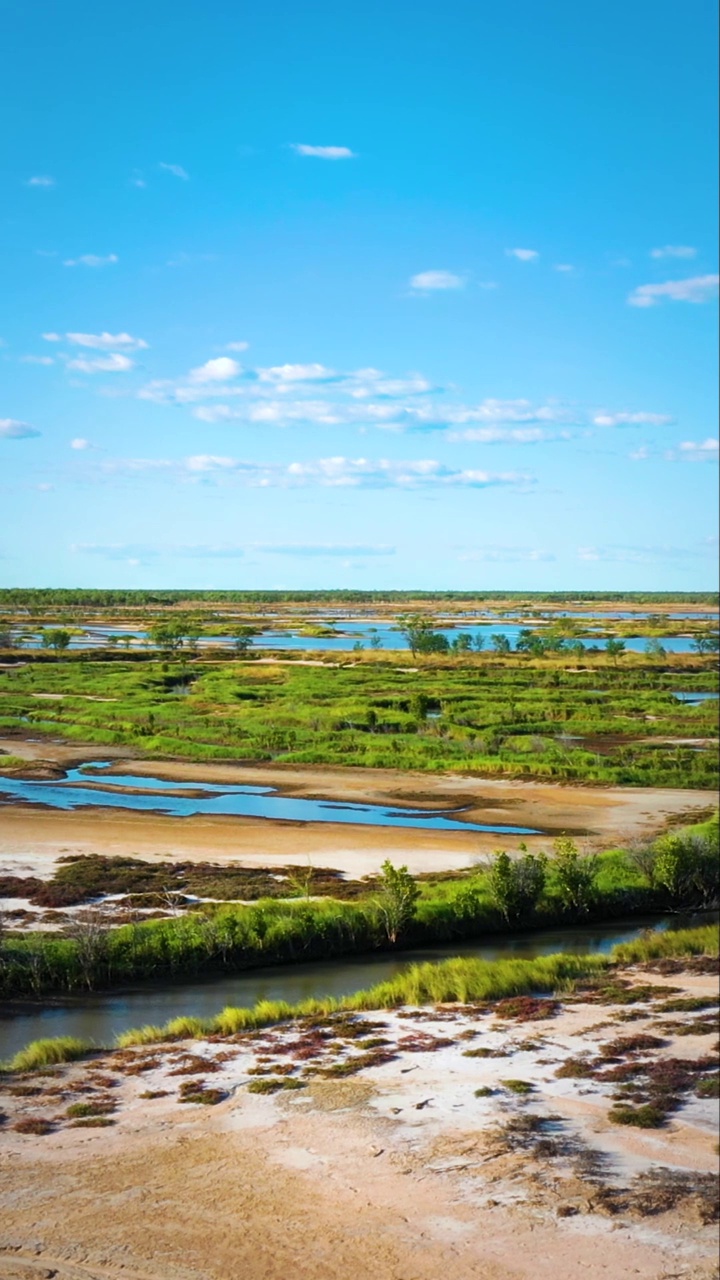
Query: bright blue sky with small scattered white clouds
{"type": "Point", "coordinates": [359, 296]}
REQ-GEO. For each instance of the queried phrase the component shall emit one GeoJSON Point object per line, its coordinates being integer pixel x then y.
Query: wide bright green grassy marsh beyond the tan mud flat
{"type": "Point", "coordinates": [513, 717]}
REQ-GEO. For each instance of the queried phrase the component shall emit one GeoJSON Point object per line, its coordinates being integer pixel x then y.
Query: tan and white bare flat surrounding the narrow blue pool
{"type": "Point", "coordinates": [33, 839]}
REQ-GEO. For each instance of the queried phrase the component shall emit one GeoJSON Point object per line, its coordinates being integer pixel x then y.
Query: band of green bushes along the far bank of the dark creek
{"type": "Point", "coordinates": [394, 912]}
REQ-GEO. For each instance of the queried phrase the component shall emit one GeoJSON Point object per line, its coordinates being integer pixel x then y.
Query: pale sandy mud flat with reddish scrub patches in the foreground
{"type": "Point", "coordinates": [395, 1172]}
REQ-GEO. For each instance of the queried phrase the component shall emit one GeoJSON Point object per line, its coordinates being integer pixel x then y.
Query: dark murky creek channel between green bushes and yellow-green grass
{"type": "Point", "coordinates": [101, 1017]}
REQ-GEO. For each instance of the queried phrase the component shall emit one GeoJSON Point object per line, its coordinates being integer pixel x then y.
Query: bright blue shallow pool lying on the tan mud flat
{"type": "Point", "coordinates": [84, 788]}
